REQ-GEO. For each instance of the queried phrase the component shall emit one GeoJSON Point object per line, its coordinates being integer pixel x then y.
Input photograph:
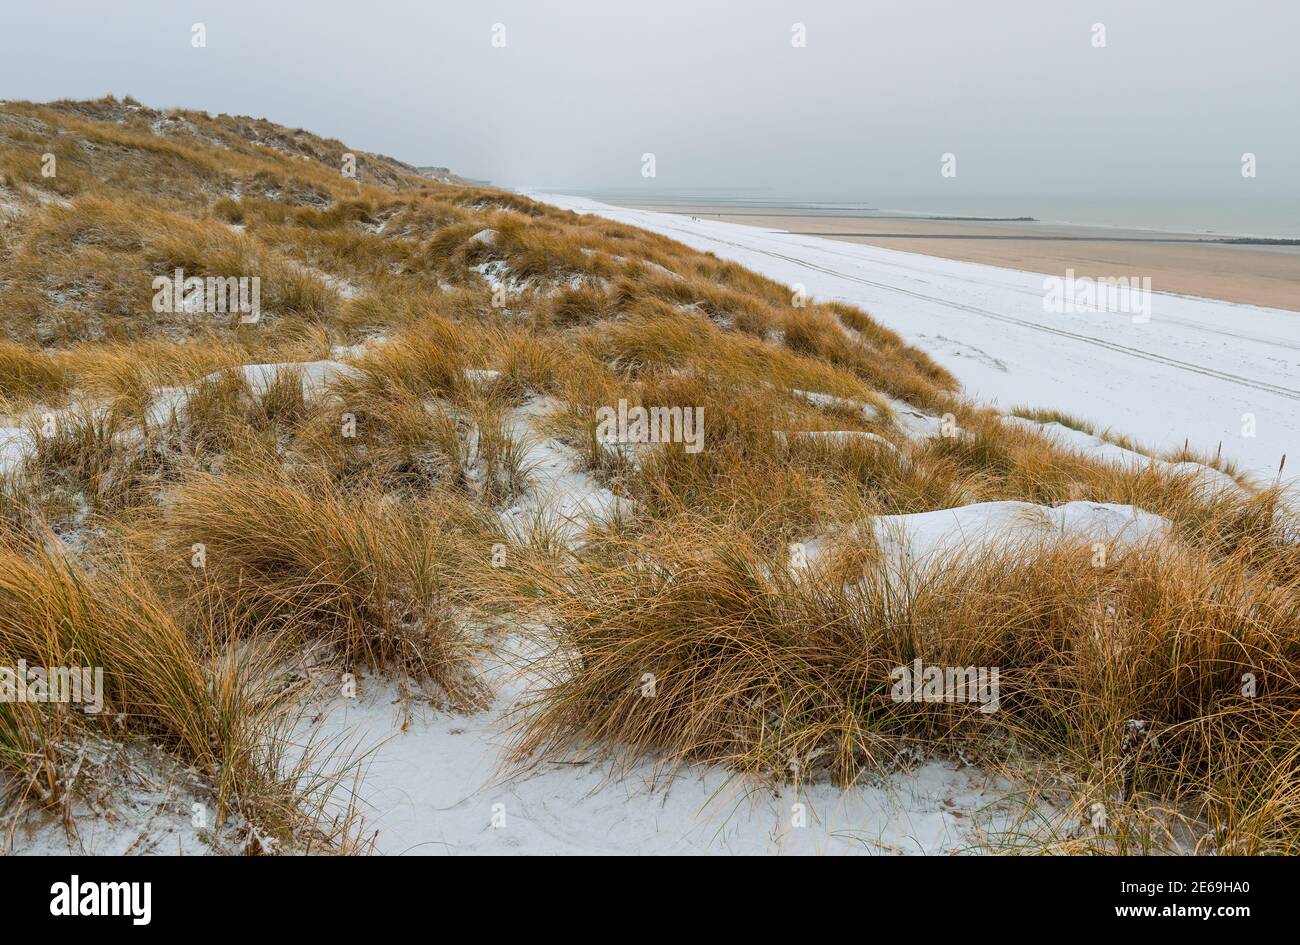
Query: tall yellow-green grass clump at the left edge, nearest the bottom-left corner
{"type": "Point", "coordinates": [222, 706]}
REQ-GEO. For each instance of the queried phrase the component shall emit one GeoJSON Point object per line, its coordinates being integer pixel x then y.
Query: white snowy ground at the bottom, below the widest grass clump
{"type": "Point", "coordinates": [440, 788]}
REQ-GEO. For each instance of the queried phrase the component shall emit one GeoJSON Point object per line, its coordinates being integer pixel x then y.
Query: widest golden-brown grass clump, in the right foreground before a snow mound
{"type": "Point", "coordinates": [756, 666]}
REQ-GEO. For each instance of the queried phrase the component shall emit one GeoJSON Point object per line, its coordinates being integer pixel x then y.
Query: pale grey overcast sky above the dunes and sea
{"type": "Point", "coordinates": [718, 93]}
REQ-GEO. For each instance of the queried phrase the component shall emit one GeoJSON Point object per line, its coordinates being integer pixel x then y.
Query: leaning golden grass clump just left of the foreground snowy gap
{"type": "Point", "coordinates": [352, 571]}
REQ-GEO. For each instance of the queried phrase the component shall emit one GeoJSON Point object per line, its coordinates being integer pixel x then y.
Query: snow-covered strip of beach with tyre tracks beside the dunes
{"type": "Point", "coordinates": [1194, 371]}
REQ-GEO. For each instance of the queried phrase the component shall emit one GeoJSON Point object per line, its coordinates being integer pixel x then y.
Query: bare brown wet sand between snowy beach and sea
{"type": "Point", "coordinates": [1256, 275]}
